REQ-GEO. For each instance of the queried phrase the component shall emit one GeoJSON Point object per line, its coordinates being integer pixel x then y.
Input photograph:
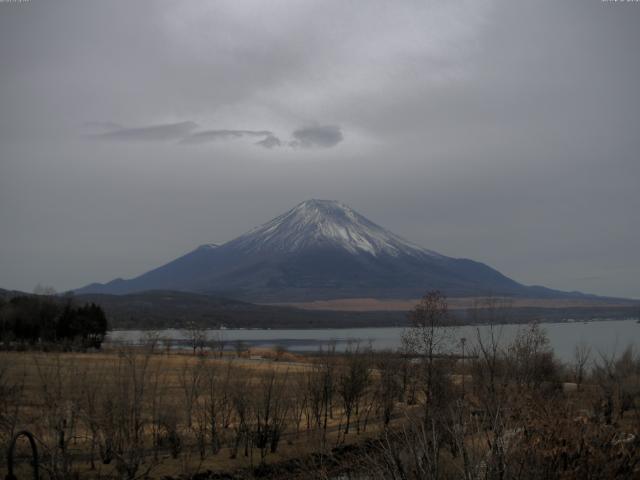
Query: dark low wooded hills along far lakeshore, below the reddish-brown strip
{"type": "Point", "coordinates": [175, 309]}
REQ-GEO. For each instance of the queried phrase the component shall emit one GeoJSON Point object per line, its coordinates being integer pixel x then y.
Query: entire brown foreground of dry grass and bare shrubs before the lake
{"type": "Point", "coordinates": [499, 413]}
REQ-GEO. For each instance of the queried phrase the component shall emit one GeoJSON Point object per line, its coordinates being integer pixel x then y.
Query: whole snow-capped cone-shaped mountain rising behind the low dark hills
{"type": "Point", "coordinates": [320, 250]}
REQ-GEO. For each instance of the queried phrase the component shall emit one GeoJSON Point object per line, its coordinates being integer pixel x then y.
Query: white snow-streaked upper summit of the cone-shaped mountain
{"type": "Point", "coordinates": [325, 223]}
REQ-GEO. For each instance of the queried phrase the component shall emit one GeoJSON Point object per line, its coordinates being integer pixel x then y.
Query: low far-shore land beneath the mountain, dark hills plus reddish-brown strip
{"type": "Point", "coordinates": [159, 309]}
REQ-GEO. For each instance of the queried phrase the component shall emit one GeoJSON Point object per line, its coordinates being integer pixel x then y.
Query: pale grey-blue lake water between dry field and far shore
{"type": "Point", "coordinates": [608, 336]}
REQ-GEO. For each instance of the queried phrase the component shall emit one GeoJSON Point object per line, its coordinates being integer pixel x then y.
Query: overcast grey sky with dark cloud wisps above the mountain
{"type": "Point", "coordinates": [503, 131]}
